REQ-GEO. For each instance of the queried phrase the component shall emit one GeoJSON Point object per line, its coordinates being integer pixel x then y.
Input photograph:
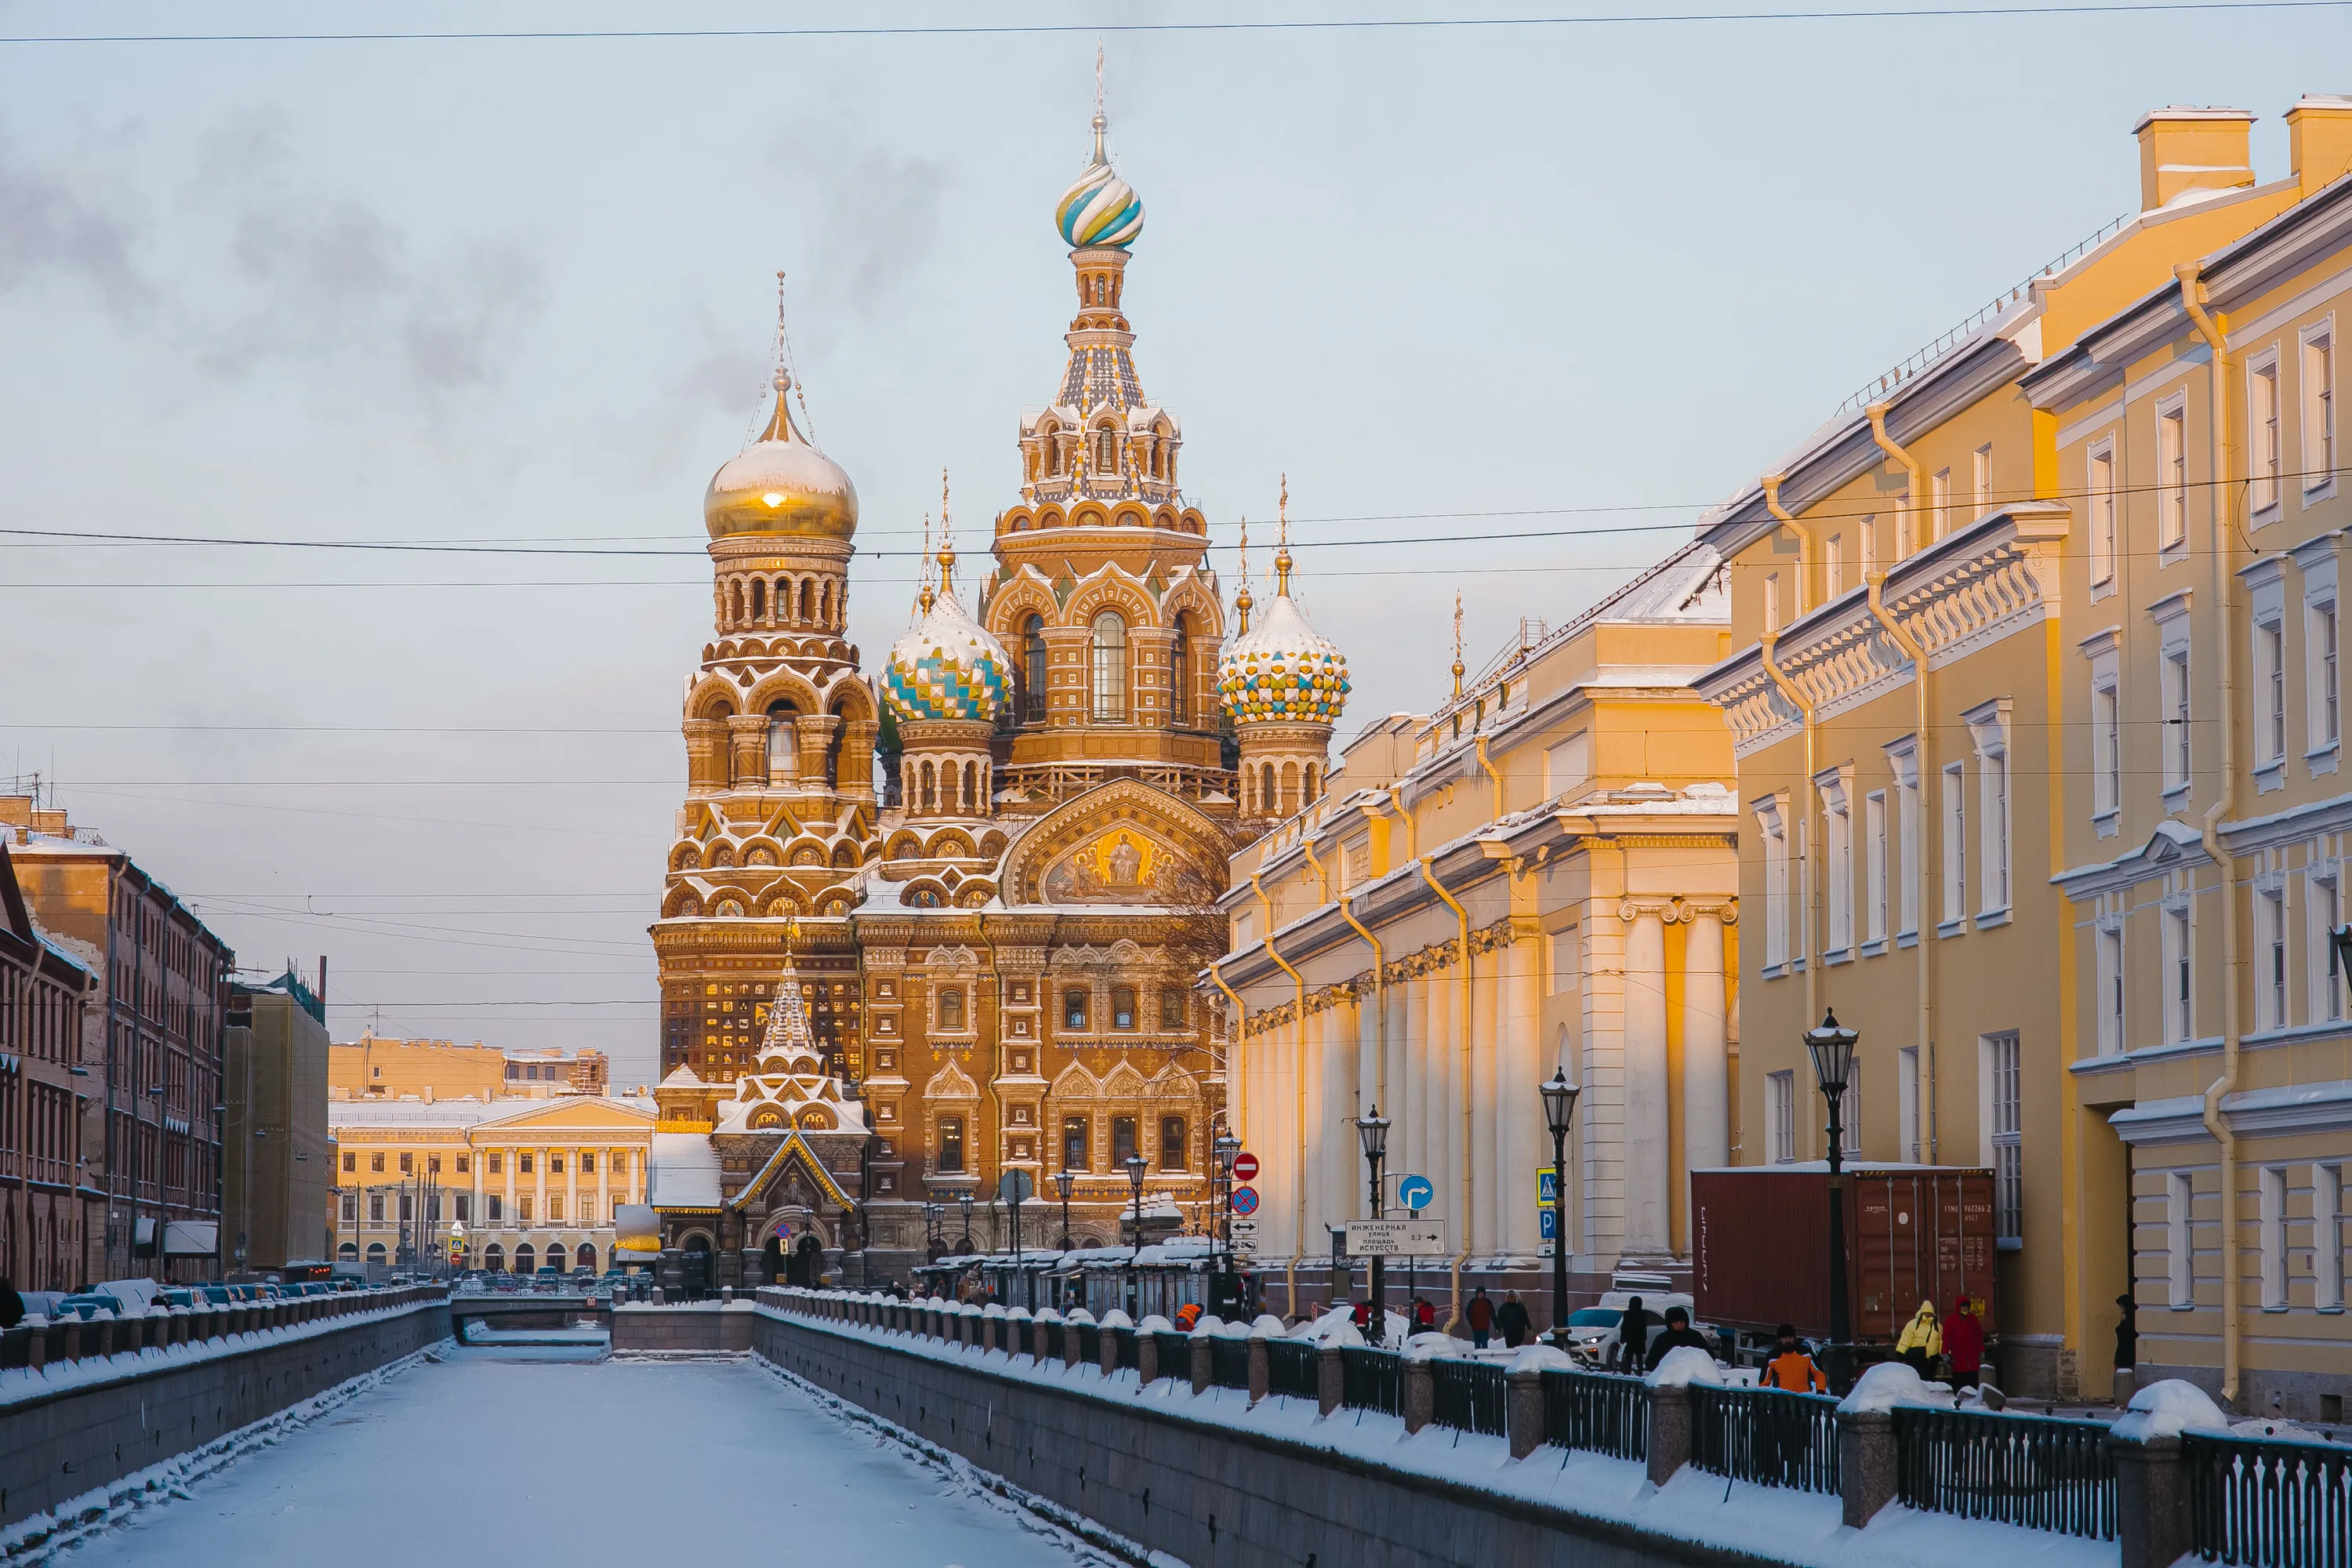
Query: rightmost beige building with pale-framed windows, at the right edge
{"type": "Point", "coordinates": [2203, 833]}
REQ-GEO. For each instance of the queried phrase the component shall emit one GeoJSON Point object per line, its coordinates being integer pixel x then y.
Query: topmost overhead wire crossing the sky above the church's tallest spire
{"type": "Point", "coordinates": [1267, 25]}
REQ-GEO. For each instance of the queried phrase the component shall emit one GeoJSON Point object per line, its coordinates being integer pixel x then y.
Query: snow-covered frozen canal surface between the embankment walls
{"type": "Point", "coordinates": [526, 1456]}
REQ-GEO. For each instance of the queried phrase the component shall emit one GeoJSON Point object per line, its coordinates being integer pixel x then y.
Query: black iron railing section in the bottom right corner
{"type": "Point", "coordinates": [2269, 1503]}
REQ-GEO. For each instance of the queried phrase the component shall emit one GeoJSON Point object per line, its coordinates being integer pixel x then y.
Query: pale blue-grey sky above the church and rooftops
{"type": "Point", "coordinates": [1457, 281]}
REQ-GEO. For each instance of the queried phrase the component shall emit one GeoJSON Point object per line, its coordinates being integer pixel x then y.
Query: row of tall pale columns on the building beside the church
{"type": "Point", "coordinates": [1469, 1118]}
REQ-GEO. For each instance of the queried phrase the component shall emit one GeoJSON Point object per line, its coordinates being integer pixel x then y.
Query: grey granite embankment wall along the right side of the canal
{"type": "Point", "coordinates": [1196, 1489]}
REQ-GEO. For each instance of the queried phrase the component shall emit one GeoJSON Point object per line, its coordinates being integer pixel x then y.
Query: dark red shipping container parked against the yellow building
{"type": "Point", "coordinates": [1760, 1245]}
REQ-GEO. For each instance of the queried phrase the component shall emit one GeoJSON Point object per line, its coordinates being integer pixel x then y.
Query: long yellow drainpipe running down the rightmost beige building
{"type": "Point", "coordinates": [2193, 300]}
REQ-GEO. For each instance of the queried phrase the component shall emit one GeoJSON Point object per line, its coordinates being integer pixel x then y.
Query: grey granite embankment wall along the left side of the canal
{"type": "Point", "coordinates": [79, 1426]}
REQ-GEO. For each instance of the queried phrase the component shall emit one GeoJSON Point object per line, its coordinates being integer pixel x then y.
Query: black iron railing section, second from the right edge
{"type": "Point", "coordinates": [2031, 1470]}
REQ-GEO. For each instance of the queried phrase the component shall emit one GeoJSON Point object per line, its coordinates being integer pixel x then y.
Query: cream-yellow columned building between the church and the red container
{"type": "Point", "coordinates": [1537, 876]}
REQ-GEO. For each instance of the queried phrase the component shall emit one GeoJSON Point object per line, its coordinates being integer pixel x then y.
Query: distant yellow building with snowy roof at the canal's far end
{"type": "Point", "coordinates": [533, 1184]}
